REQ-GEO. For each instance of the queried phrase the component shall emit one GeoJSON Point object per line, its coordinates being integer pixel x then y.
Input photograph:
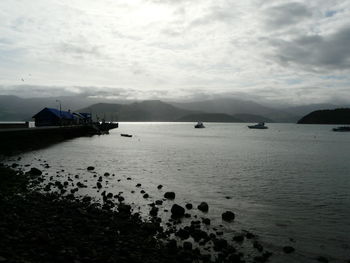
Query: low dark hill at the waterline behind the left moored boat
{"type": "Point", "coordinates": [209, 117]}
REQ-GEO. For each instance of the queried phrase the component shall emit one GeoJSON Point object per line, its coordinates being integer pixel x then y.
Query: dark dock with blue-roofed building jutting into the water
{"type": "Point", "coordinates": [51, 126]}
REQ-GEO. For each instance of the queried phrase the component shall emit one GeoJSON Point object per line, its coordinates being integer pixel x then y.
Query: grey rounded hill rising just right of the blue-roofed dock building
{"type": "Point", "coordinates": [152, 110]}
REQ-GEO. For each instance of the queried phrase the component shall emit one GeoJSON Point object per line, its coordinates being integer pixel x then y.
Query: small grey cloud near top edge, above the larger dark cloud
{"type": "Point", "coordinates": [286, 14]}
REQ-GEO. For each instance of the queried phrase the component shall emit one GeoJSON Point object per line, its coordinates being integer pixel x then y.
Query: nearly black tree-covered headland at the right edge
{"type": "Point", "coordinates": [336, 116]}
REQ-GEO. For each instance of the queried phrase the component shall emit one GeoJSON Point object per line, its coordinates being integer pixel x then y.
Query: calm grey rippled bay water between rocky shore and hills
{"type": "Point", "coordinates": [290, 184]}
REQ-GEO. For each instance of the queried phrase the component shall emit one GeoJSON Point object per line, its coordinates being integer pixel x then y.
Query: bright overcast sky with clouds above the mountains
{"type": "Point", "coordinates": [291, 52]}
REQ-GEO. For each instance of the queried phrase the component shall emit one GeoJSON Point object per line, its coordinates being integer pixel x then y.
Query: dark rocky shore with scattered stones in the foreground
{"type": "Point", "coordinates": [44, 221]}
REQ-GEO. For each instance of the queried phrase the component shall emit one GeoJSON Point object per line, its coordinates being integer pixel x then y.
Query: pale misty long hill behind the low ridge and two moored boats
{"type": "Point", "coordinates": [235, 106]}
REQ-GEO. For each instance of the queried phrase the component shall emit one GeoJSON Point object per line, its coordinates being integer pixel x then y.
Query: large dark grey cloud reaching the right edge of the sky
{"type": "Point", "coordinates": [315, 52]}
